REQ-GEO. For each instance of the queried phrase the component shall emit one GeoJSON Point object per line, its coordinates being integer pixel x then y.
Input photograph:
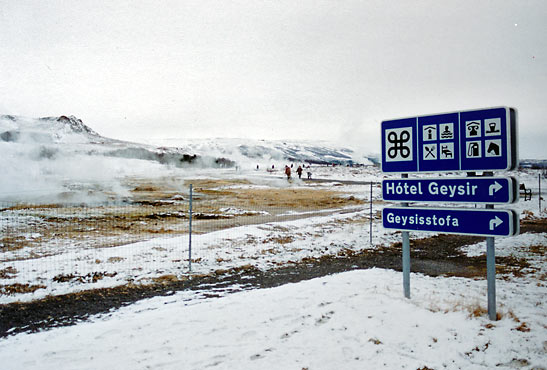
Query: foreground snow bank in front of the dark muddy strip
{"type": "Point", "coordinates": [353, 320]}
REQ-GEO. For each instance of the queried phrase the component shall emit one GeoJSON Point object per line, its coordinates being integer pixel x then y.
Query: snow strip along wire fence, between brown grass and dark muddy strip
{"type": "Point", "coordinates": [258, 245]}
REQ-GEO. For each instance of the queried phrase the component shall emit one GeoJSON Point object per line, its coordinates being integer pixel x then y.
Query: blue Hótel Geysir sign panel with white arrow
{"type": "Point", "coordinates": [491, 190]}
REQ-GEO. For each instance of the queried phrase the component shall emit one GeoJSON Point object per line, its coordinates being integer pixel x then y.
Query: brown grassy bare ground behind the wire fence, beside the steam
{"type": "Point", "coordinates": [160, 207]}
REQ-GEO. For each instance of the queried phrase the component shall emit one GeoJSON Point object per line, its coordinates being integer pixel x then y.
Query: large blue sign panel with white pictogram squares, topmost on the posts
{"type": "Point", "coordinates": [460, 141]}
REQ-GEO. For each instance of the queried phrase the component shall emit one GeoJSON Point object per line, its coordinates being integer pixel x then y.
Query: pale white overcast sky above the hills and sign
{"type": "Point", "coordinates": [329, 70]}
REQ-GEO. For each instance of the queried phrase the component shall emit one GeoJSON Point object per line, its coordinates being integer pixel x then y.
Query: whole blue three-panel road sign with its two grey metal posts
{"type": "Point", "coordinates": [468, 141]}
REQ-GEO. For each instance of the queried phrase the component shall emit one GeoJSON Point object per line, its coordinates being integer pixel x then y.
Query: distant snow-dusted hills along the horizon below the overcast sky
{"type": "Point", "coordinates": [57, 136]}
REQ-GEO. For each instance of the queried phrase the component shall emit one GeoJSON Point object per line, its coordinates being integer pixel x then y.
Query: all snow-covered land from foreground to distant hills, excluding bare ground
{"type": "Point", "coordinates": [351, 320]}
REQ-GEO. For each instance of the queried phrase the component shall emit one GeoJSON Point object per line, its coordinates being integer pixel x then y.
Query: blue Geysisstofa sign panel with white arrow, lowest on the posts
{"type": "Point", "coordinates": [484, 222]}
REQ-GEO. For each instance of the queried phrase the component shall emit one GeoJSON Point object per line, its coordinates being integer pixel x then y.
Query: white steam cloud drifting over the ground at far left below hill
{"type": "Point", "coordinates": [68, 177]}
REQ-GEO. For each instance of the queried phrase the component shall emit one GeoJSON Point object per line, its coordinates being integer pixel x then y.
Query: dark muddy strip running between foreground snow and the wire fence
{"type": "Point", "coordinates": [434, 256]}
